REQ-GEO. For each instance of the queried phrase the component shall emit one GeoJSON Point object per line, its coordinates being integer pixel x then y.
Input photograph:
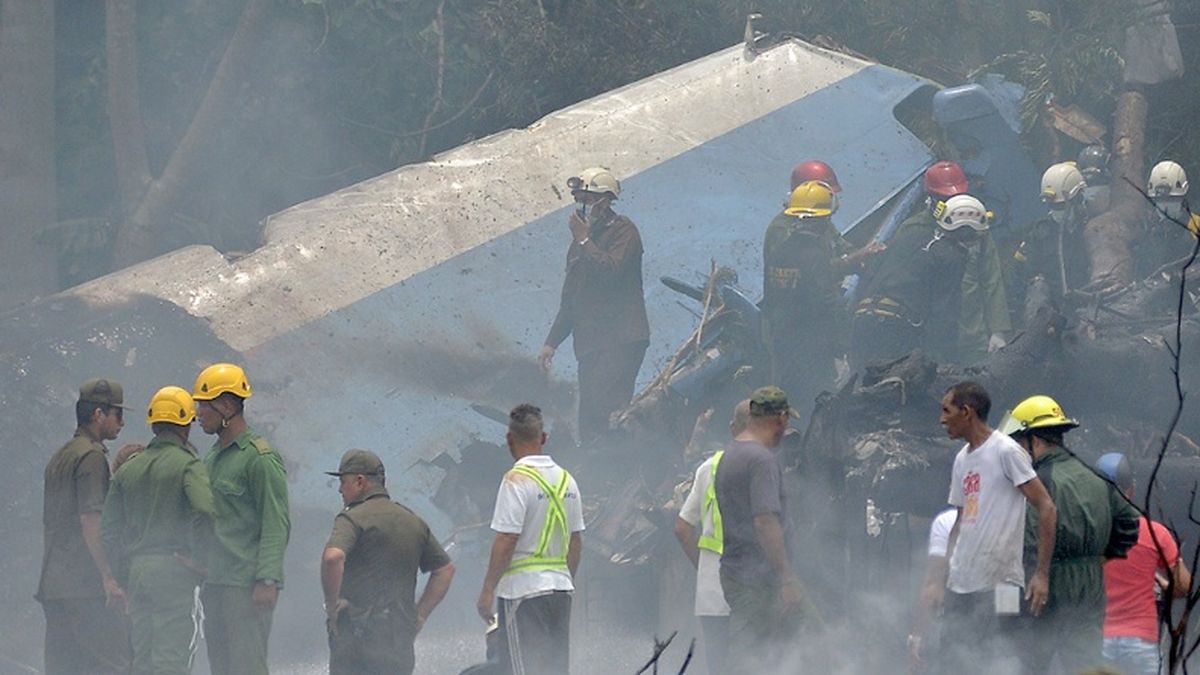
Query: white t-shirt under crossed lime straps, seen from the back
{"type": "Point", "coordinates": [521, 510]}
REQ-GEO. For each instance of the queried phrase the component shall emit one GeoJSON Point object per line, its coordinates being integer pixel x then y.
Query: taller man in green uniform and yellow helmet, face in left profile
{"type": "Point", "coordinates": [250, 495]}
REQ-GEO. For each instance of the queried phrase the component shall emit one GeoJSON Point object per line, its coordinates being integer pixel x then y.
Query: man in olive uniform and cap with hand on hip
{"type": "Point", "coordinates": [369, 574]}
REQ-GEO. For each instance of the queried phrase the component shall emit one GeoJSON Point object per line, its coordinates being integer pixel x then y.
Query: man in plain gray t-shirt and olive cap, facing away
{"type": "Point", "coordinates": [767, 604]}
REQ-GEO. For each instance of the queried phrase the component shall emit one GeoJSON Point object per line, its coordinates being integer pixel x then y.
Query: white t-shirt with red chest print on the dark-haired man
{"type": "Point", "coordinates": [992, 529]}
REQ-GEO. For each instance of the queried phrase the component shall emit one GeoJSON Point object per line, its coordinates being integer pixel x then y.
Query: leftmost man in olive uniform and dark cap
{"type": "Point", "coordinates": [86, 629]}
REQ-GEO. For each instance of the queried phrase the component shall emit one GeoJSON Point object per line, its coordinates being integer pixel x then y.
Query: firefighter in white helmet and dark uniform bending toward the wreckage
{"type": "Point", "coordinates": [911, 297]}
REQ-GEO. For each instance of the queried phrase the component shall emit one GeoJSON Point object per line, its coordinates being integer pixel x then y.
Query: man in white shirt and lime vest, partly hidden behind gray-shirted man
{"type": "Point", "coordinates": [705, 549]}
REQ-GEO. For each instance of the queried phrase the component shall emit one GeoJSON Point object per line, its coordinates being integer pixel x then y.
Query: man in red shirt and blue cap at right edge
{"type": "Point", "coordinates": [1131, 619]}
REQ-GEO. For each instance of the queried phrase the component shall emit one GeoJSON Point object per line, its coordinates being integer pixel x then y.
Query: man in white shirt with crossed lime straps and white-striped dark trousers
{"type": "Point", "coordinates": [538, 521]}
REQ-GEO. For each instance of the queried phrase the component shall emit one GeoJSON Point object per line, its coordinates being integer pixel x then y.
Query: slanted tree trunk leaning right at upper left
{"type": "Point", "coordinates": [141, 236]}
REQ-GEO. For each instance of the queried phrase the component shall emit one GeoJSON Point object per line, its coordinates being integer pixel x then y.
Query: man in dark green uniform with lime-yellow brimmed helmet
{"type": "Point", "coordinates": [1095, 524]}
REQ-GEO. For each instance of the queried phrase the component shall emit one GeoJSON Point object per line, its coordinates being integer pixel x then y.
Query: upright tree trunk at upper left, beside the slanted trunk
{"type": "Point", "coordinates": [124, 107]}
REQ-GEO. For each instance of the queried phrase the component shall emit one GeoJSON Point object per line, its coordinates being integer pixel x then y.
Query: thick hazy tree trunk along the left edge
{"type": "Point", "coordinates": [27, 146]}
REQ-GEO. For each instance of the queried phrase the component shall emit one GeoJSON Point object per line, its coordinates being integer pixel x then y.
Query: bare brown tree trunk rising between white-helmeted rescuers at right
{"type": "Point", "coordinates": [1109, 236]}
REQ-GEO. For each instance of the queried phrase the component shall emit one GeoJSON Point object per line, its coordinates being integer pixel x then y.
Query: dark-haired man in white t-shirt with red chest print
{"type": "Point", "coordinates": [992, 481]}
